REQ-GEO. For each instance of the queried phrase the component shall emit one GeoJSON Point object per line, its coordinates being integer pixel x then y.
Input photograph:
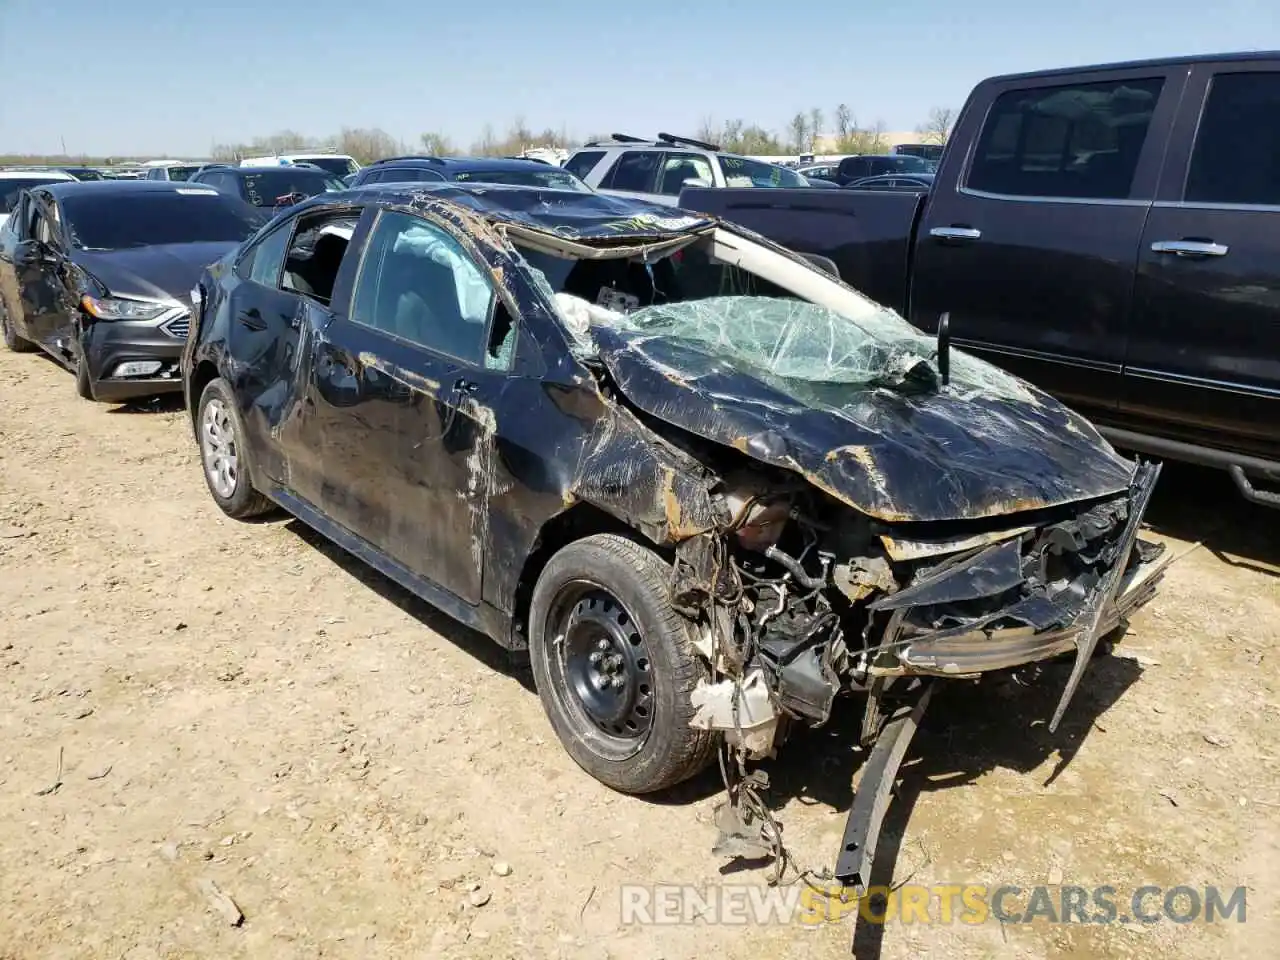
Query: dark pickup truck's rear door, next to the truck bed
{"type": "Point", "coordinates": [1031, 234]}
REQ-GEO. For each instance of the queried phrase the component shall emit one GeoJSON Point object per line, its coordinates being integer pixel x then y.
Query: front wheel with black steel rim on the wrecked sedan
{"type": "Point", "coordinates": [616, 666]}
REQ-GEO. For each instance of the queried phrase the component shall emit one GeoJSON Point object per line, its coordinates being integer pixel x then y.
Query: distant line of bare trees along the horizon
{"type": "Point", "coordinates": [807, 134]}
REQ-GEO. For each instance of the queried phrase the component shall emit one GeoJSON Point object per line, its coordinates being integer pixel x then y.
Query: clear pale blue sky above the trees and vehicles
{"type": "Point", "coordinates": [138, 77]}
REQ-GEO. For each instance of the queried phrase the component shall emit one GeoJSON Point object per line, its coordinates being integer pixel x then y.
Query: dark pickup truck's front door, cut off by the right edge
{"type": "Point", "coordinates": [1204, 362]}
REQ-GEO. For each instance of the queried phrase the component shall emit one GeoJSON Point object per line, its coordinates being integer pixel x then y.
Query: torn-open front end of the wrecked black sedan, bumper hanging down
{"type": "Point", "coordinates": [810, 601]}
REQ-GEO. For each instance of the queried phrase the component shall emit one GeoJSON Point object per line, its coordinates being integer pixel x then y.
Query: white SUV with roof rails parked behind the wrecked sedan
{"type": "Point", "coordinates": [657, 171]}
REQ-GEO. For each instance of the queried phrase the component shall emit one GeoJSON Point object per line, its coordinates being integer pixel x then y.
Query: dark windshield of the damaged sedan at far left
{"type": "Point", "coordinates": [118, 221]}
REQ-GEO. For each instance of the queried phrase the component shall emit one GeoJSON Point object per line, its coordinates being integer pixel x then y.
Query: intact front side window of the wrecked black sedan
{"type": "Point", "coordinates": [419, 285]}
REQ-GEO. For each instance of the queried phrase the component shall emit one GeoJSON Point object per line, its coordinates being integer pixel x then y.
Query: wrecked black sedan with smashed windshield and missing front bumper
{"type": "Point", "coordinates": [707, 486]}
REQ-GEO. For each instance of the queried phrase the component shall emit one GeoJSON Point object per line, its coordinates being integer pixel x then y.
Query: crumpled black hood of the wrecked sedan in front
{"type": "Point", "coordinates": [950, 454]}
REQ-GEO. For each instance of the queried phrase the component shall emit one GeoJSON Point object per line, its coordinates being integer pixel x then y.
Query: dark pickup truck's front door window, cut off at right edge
{"type": "Point", "coordinates": [1237, 156]}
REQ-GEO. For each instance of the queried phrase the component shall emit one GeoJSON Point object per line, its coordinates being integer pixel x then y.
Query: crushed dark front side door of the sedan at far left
{"type": "Point", "coordinates": [40, 266]}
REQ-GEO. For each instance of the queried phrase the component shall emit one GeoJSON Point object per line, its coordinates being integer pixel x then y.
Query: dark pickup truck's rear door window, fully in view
{"type": "Point", "coordinates": [1066, 141]}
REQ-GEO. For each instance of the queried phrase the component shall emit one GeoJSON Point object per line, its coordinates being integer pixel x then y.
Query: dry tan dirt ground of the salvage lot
{"type": "Point", "coordinates": [249, 706]}
